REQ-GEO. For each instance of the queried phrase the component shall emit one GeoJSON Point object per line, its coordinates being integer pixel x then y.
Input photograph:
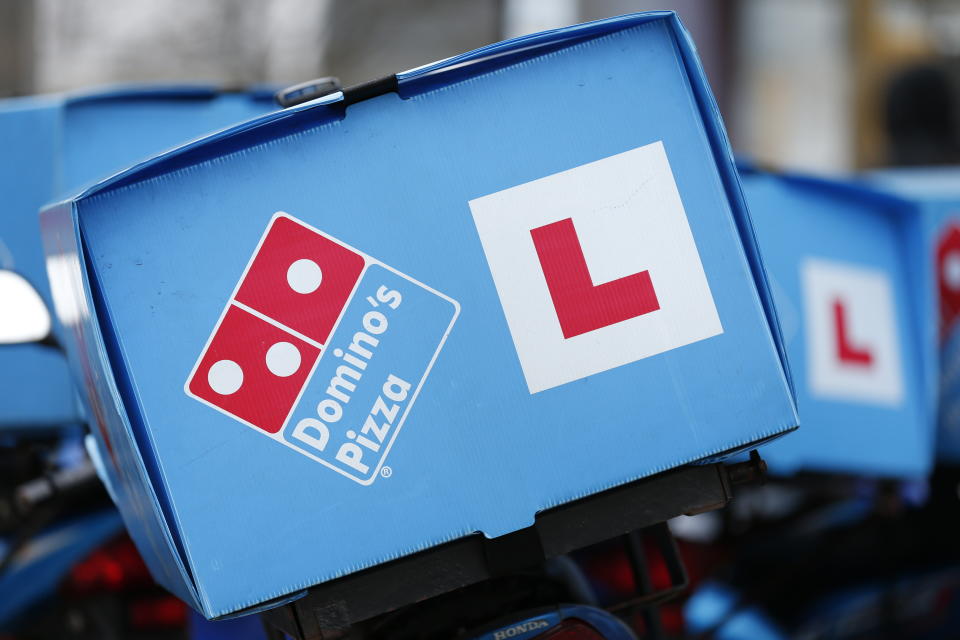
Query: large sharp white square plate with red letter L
{"type": "Point", "coordinates": [596, 267]}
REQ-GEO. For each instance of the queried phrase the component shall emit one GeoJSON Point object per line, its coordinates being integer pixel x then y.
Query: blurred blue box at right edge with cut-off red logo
{"type": "Point", "coordinates": [931, 198]}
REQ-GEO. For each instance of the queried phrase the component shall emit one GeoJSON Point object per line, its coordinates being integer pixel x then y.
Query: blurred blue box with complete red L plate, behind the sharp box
{"type": "Point", "coordinates": [841, 277]}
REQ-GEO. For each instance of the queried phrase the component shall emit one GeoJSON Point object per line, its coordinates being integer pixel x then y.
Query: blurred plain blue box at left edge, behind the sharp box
{"type": "Point", "coordinates": [51, 146]}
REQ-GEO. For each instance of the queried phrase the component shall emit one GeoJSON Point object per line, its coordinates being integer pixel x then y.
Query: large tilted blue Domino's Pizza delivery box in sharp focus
{"type": "Point", "coordinates": [425, 307]}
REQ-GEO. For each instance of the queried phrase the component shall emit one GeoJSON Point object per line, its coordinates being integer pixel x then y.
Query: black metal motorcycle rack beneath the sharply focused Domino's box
{"type": "Point", "coordinates": [330, 609]}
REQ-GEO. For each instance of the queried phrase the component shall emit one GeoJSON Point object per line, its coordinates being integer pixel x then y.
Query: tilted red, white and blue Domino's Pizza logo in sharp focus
{"type": "Point", "coordinates": [322, 348]}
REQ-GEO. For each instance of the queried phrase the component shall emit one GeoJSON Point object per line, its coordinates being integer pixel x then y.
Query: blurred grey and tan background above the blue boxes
{"type": "Point", "coordinates": [822, 85]}
